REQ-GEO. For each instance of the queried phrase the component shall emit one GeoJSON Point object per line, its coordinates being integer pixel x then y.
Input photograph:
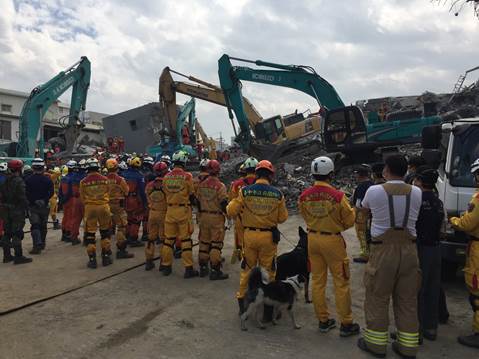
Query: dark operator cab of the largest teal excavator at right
{"type": "Point", "coordinates": [342, 128]}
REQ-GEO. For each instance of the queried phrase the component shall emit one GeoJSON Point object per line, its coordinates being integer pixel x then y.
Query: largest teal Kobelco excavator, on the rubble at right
{"type": "Point", "coordinates": [343, 128]}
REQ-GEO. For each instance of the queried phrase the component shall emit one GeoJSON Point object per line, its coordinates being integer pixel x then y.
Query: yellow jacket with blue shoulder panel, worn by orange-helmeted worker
{"type": "Point", "coordinates": [260, 205]}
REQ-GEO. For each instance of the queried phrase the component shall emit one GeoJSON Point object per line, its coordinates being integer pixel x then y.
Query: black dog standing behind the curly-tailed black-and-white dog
{"type": "Point", "coordinates": [295, 262]}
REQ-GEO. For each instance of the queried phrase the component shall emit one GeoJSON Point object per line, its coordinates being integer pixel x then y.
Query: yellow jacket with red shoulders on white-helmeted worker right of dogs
{"type": "Point", "coordinates": [325, 208]}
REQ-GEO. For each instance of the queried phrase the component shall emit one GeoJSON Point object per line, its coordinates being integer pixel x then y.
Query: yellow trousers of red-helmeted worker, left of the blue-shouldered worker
{"type": "Point", "coordinates": [212, 235]}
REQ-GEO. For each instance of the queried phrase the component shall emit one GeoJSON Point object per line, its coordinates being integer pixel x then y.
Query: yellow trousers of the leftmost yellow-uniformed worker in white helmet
{"type": "Point", "coordinates": [97, 216]}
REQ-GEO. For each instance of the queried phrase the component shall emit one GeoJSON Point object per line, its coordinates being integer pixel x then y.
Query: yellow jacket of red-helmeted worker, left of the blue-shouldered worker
{"type": "Point", "coordinates": [211, 194]}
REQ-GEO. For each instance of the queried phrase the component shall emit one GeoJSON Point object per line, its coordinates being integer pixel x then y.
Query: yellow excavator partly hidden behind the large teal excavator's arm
{"type": "Point", "coordinates": [275, 130]}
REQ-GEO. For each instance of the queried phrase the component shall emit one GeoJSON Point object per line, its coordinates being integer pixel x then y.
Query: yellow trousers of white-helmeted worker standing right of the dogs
{"type": "Point", "coordinates": [329, 252]}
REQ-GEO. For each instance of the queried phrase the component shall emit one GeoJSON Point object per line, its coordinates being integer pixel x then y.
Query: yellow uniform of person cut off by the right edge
{"type": "Point", "coordinates": [469, 223]}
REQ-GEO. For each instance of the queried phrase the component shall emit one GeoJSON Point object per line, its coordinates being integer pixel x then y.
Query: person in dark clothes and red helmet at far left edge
{"type": "Point", "coordinates": [14, 204]}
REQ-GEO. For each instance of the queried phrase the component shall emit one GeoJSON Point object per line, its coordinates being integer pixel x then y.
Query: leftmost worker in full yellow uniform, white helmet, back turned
{"type": "Point", "coordinates": [94, 191]}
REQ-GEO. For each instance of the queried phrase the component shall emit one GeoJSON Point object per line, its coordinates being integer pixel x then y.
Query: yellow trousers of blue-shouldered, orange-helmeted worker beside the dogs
{"type": "Point", "coordinates": [259, 249]}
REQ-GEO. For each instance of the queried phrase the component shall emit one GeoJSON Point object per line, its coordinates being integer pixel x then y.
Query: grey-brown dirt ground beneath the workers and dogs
{"type": "Point", "coordinates": [119, 312]}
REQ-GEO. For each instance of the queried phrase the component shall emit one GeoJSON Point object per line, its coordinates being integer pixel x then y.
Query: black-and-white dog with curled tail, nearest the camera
{"type": "Point", "coordinates": [280, 294]}
